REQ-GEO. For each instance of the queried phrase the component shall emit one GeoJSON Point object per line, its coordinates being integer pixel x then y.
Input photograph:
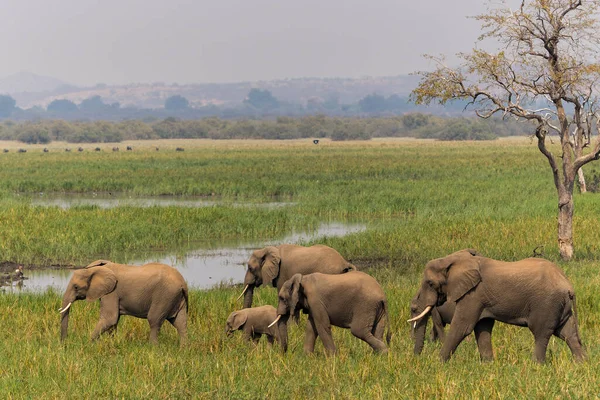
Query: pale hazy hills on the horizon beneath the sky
{"type": "Point", "coordinates": [33, 90]}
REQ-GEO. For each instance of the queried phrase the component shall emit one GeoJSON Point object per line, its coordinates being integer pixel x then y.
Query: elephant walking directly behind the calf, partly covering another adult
{"type": "Point", "coordinates": [353, 300]}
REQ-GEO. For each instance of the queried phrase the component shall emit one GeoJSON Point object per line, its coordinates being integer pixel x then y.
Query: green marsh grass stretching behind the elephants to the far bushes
{"type": "Point", "coordinates": [410, 193]}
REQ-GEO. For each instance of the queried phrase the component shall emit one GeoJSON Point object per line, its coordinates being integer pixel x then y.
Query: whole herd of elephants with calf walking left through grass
{"type": "Point", "coordinates": [464, 289]}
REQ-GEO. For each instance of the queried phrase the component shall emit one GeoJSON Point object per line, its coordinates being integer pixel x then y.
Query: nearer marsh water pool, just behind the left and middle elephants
{"type": "Point", "coordinates": [204, 267]}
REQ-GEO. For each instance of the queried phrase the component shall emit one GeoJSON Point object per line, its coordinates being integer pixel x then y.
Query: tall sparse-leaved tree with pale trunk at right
{"type": "Point", "coordinates": [546, 71]}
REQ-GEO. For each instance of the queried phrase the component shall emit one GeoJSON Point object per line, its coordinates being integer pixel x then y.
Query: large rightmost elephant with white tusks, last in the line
{"type": "Point", "coordinates": [532, 292]}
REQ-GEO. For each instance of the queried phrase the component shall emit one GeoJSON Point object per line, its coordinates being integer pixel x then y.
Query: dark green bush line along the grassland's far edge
{"type": "Point", "coordinates": [314, 126]}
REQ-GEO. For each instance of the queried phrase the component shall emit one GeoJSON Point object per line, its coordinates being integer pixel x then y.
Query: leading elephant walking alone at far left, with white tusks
{"type": "Point", "coordinates": [156, 292]}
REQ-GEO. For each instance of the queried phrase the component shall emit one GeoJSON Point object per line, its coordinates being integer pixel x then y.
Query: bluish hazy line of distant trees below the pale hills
{"type": "Point", "coordinates": [259, 104]}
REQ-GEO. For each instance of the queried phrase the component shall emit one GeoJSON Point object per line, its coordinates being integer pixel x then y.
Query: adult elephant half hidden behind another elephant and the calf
{"type": "Point", "coordinates": [276, 264]}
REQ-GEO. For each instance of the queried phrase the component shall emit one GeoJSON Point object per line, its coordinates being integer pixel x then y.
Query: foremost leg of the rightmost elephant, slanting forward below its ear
{"type": "Point", "coordinates": [467, 313]}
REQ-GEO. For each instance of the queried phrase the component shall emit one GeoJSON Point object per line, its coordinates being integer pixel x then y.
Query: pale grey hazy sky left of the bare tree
{"type": "Point", "coordinates": [123, 41]}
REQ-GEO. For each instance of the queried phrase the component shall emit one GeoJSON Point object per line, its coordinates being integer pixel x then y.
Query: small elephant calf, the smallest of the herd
{"type": "Point", "coordinates": [254, 322]}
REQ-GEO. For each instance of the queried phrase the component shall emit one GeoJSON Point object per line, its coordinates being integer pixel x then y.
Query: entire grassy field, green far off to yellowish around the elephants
{"type": "Point", "coordinates": [419, 200]}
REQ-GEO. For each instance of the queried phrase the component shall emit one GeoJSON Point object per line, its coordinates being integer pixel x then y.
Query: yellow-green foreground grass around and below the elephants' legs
{"type": "Point", "coordinates": [37, 365]}
